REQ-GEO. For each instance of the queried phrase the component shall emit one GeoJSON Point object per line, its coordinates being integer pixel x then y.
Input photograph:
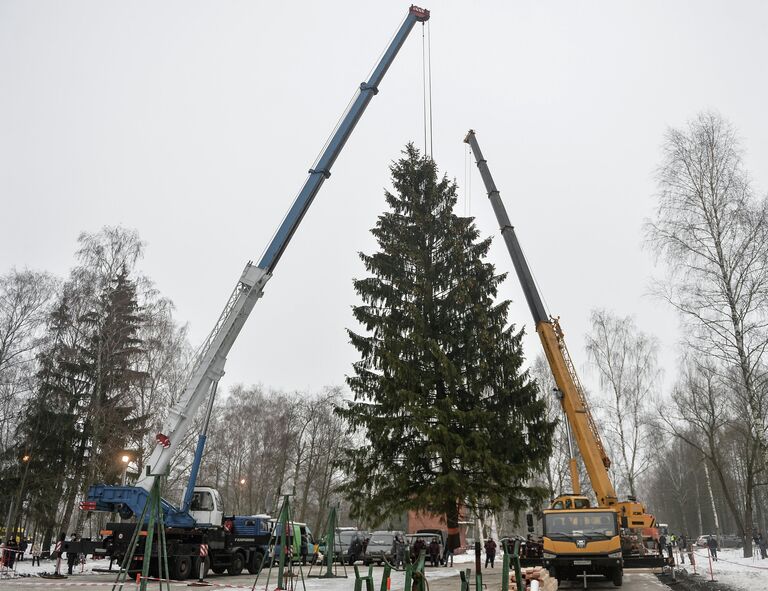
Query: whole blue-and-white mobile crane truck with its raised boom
{"type": "Point", "coordinates": [188, 526]}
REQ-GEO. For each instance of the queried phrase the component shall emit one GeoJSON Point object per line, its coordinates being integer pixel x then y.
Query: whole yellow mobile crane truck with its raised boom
{"type": "Point", "coordinates": [578, 540]}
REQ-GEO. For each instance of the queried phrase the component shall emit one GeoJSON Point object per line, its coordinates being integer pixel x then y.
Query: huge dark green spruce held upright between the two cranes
{"type": "Point", "coordinates": [450, 418]}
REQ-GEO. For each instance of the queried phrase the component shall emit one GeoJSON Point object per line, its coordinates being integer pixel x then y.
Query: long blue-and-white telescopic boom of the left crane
{"type": "Point", "coordinates": [208, 365]}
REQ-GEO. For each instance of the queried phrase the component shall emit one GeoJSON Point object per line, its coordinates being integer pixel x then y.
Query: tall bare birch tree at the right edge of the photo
{"type": "Point", "coordinates": [713, 234]}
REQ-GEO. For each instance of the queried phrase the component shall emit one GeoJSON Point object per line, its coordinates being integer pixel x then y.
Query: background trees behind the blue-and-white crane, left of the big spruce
{"type": "Point", "coordinates": [89, 366]}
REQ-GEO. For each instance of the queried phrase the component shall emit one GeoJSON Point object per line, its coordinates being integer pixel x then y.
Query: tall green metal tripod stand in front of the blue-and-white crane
{"type": "Point", "coordinates": [154, 507]}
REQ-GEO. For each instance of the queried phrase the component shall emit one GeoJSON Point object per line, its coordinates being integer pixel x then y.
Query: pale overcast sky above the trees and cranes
{"type": "Point", "coordinates": [195, 123]}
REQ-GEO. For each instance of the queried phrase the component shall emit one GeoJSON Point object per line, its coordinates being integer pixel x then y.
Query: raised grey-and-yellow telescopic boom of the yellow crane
{"type": "Point", "coordinates": [632, 514]}
